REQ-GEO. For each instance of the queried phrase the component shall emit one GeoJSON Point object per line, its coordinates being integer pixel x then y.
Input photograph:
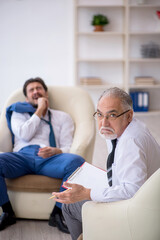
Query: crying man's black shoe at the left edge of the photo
{"type": "Point", "coordinates": [6, 220]}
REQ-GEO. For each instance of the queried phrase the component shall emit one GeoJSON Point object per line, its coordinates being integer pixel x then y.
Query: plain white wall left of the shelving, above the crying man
{"type": "Point", "coordinates": [36, 39]}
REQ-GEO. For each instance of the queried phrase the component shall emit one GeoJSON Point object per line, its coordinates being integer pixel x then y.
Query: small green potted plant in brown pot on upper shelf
{"type": "Point", "coordinates": [99, 21]}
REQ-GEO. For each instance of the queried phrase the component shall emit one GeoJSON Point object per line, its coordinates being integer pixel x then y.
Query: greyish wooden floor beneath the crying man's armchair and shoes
{"type": "Point", "coordinates": [32, 230]}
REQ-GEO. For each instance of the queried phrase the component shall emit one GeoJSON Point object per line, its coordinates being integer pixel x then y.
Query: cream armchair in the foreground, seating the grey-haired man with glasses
{"type": "Point", "coordinates": [137, 218]}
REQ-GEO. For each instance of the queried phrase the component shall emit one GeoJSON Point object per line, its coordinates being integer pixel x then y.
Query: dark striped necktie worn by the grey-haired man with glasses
{"type": "Point", "coordinates": [110, 161]}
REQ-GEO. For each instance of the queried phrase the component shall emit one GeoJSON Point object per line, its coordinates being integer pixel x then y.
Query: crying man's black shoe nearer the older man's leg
{"type": "Point", "coordinates": [58, 221]}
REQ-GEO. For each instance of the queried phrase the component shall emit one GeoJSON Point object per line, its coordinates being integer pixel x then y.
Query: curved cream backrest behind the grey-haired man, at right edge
{"type": "Point", "coordinates": [144, 210]}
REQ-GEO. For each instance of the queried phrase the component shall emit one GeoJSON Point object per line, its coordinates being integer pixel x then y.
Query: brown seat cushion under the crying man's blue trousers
{"type": "Point", "coordinates": [34, 183]}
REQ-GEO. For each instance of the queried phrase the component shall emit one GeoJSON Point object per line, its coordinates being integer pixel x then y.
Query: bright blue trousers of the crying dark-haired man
{"type": "Point", "coordinates": [26, 161]}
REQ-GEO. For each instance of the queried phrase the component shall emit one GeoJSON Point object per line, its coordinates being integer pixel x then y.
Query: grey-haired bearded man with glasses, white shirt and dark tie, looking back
{"type": "Point", "coordinates": [134, 157]}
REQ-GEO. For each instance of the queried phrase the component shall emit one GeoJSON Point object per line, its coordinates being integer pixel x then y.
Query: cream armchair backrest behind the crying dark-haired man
{"type": "Point", "coordinates": [72, 100]}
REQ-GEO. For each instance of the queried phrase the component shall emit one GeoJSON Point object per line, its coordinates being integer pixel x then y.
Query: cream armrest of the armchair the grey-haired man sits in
{"type": "Point", "coordinates": [105, 220]}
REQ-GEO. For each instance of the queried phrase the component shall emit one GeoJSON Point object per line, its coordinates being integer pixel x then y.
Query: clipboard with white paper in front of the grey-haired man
{"type": "Point", "coordinates": [89, 176]}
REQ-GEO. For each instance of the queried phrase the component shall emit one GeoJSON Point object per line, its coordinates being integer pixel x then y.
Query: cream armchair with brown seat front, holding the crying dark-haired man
{"type": "Point", "coordinates": [29, 194]}
